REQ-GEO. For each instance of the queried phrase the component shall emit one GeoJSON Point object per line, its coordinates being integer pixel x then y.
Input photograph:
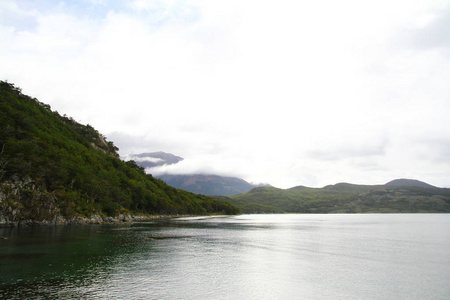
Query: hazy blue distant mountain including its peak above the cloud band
{"type": "Point", "coordinates": [205, 184]}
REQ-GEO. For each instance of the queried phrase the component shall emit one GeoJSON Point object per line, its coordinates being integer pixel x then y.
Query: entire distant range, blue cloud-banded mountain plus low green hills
{"type": "Point", "coordinates": [396, 196]}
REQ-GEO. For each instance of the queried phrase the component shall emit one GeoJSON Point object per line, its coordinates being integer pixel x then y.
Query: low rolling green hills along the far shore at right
{"type": "Point", "coordinates": [398, 196]}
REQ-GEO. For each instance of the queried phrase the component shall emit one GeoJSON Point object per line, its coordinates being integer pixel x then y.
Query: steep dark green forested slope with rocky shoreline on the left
{"type": "Point", "coordinates": [55, 170]}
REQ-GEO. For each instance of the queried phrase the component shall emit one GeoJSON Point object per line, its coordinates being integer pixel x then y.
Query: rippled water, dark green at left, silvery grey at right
{"type": "Point", "coordinates": [388, 256]}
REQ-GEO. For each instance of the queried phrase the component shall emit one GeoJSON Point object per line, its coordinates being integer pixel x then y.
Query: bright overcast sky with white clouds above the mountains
{"type": "Point", "coordinates": [281, 92]}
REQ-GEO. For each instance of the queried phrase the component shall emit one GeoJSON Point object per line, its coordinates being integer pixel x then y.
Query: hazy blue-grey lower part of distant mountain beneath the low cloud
{"type": "Point", "coordinates": [208, 184]}
